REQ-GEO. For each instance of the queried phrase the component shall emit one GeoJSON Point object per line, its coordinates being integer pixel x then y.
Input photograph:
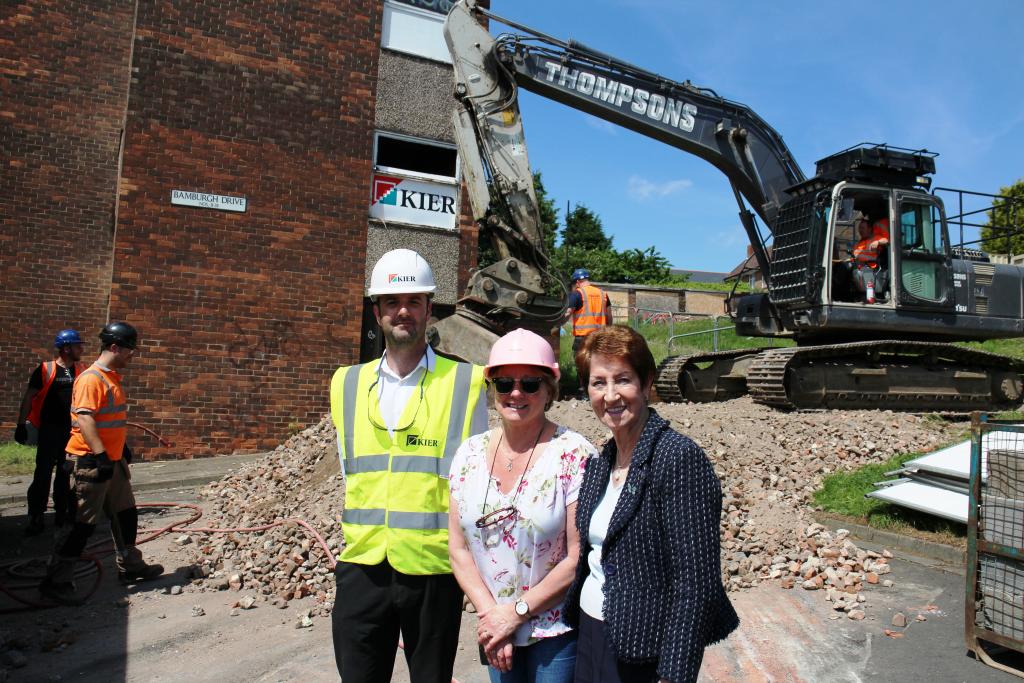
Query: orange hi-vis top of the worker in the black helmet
{"type": "Point", "coordinates": [99, 393]}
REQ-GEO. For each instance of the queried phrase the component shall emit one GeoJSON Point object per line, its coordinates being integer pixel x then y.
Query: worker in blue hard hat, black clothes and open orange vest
{"type": "Point", "coordinates": [47, 407]}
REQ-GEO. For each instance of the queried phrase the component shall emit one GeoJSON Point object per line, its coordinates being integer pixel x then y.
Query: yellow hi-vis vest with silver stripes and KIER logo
{"type": "Point", "coordinates": [397, 493]}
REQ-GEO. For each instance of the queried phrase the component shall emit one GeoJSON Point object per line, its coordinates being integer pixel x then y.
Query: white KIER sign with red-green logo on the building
{"type": "Point", "coordinates": [414, 202]}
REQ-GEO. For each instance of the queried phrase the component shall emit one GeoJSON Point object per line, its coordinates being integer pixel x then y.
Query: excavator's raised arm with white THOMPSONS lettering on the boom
{"type": "Point", "coordinates": [489, 131]}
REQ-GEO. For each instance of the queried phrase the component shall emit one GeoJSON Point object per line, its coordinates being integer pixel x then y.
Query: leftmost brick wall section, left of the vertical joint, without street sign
{"type": "Point", "coordinates": [60, 133]}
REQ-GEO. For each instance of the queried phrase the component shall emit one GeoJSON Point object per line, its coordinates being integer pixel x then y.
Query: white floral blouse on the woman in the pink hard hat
{"type": "Point", "coordinates": [514, 557]}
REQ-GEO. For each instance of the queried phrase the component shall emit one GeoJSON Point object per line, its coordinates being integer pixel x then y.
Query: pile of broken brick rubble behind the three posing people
{"type": "Point", "coordinates": [770, 462]}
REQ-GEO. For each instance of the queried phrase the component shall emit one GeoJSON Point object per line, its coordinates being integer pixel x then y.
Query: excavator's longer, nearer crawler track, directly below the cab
{"type": "Point", "coordinates": [915, 376]}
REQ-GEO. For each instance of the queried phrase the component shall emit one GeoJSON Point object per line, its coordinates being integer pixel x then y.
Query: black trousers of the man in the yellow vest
{"type": "Point", "coordinates": [374, 604]}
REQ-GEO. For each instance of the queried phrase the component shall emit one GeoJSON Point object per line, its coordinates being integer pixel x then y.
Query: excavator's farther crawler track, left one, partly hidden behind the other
{"type": "Point", "coordinates": [681, 377]}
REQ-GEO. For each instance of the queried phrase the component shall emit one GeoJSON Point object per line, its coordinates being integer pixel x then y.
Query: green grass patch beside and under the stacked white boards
{"type": "Point", "coordinates": [843, 494]}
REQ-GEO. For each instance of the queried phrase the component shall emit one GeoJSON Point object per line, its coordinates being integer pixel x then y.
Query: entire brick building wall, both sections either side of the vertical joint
{"type": "Point", "coordinates": [243, 316]}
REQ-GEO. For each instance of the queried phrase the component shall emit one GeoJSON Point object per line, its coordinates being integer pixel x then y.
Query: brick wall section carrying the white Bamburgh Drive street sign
{"type": "Point", "coordinates": [244, 317]}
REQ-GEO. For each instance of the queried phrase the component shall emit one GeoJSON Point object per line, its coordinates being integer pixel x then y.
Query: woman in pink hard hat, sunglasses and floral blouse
{"type": "Point", "coordinates": [513, 535]}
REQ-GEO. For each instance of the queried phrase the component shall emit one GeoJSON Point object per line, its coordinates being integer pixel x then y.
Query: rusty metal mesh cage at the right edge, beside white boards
{"type": "Point", "coordinates": [995, 602]}
